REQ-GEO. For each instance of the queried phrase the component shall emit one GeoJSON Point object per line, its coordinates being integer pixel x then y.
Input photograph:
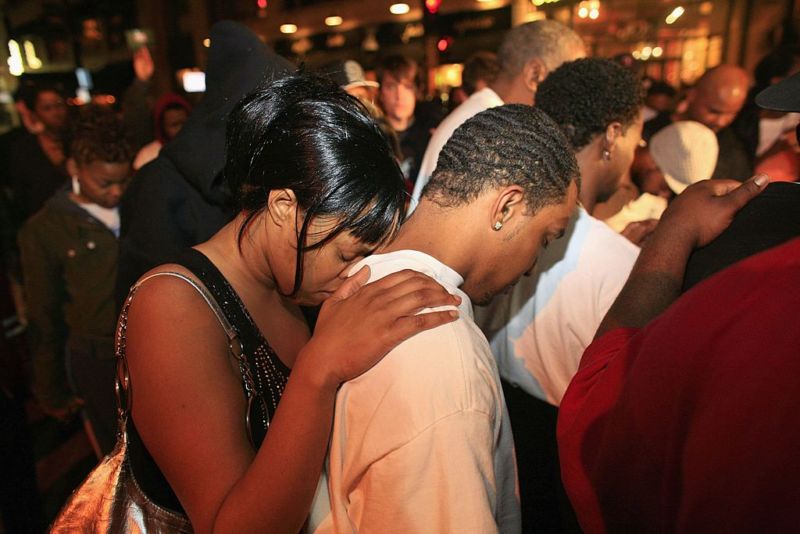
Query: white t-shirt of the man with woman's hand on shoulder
{"type": "Point", "coordinates": [421, 442]}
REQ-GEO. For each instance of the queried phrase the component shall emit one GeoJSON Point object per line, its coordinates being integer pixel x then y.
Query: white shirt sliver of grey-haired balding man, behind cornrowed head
{"type": "Point", "coordinates": [477, 102]}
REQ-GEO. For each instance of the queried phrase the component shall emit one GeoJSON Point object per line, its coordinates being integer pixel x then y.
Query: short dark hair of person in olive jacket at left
{"type": "Point", "coordinates": [99, 135]}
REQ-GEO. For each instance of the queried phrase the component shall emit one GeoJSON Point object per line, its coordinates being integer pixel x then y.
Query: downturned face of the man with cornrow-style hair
{"type": "Point", "coordinates": [516, 248]}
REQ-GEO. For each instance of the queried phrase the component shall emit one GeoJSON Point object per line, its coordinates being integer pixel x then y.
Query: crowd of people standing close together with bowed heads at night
{"type": "Point", "coordinates": [566, 305]}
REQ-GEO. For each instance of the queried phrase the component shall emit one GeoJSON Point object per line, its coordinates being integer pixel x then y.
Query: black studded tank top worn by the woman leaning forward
{"type": "Point", "coordinates": [269, 375]}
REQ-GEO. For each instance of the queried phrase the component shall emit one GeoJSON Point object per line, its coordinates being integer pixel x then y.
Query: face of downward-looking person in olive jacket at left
{"type": "Point", "coordinates": [101, 182]}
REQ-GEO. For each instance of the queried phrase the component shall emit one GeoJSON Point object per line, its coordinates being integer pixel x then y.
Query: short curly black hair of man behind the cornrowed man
{"type": "Point", "coordinates": [586, 95]}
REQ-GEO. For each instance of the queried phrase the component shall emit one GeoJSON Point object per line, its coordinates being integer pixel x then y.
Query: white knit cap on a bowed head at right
{"type": "Point", "coordinates": [686, 152]}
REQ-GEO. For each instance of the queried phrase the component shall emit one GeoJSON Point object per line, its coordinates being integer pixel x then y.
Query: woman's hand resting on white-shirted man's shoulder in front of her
{"type": "Point", "coordinates": [360, 323]}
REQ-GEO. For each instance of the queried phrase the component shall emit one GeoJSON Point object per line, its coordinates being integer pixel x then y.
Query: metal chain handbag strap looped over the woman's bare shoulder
{"type": "Point", "coordinates": [122, 379]}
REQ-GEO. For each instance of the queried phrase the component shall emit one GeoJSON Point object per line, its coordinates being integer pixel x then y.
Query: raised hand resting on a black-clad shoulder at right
{"type": "Point", "coordinates": [705, 209]}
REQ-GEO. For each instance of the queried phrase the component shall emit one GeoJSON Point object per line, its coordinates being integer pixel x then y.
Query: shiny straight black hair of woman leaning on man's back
{"type": "Point", "coordinates": [306, 134]}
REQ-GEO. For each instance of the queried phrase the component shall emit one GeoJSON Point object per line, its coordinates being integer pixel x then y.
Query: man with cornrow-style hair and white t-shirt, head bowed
{"type": "Point", "coordinates": [422, 442]}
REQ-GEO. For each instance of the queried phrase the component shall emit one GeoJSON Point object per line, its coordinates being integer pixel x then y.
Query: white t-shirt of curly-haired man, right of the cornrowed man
{"type": "Point", "coordinates": [539, 331]}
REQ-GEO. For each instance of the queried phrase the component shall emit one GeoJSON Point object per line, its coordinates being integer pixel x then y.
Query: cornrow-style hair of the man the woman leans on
{"type": "Point", "coordinates": [507, 145]}
